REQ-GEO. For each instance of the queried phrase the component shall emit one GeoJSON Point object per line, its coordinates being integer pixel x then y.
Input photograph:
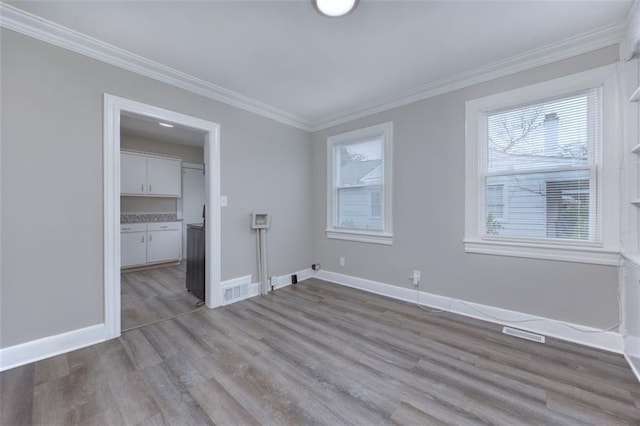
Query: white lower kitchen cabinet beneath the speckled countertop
{"type": "Point", "coordinates": [148, 243]}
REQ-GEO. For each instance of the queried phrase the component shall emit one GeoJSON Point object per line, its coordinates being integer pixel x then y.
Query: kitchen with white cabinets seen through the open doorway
{"type": "Point", "coordinates": [162, 193]}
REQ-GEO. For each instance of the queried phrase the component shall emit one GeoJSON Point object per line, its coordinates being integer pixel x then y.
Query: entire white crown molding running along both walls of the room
{"type": "Point", "coordinates": [33, 26]}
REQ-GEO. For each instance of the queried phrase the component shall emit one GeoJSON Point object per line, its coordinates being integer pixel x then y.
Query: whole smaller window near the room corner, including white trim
{"type": "Point", "coordinates": [359, 185]}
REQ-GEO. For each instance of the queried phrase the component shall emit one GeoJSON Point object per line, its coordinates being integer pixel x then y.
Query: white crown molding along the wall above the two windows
{"type": "Point", "coordinates": [587, 42]}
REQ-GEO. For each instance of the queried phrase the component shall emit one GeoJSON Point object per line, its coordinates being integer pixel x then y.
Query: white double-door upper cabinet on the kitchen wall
{"type": "Point", "coordinates": [150, 175]}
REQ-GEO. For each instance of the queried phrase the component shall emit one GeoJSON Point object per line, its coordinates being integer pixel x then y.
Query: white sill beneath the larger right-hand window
{"type": "Point", "coordinates": [596, 256]}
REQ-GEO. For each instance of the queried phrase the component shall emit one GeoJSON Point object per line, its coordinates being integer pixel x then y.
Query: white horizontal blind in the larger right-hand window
{"type": "Point", "coordinates": [540, 164]}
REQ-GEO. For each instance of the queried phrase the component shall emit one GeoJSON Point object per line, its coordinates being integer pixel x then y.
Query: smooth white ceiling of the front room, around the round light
{"type": "Point", "coordinates": [283, 54]}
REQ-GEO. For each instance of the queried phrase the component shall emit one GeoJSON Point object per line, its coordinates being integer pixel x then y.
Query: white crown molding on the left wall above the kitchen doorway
{"type": "Point", "coordinates": [33, 26]}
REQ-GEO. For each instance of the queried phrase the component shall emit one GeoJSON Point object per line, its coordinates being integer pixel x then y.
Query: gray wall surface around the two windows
{"type": "Point", "coordinates": [428, 215]}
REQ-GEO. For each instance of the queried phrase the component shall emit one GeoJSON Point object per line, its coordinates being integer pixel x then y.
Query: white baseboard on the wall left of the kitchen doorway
{"type": "Point", "coordinates": [24, 353]}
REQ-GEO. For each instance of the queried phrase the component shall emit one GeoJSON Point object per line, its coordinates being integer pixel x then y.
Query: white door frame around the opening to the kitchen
{"type": "Point", "coordinates": [113, 107]}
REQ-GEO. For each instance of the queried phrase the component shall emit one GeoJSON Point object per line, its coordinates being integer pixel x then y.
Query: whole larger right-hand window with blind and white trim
{"type": "Point", "coordinates": [537, 174]}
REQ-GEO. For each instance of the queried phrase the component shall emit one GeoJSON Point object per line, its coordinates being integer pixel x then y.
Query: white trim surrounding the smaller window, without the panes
{"type": "Point", "coordinates": [385, 131]}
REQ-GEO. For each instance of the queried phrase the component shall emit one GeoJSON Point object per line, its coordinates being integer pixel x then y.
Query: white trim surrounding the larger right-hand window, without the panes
{"type": "Point", "coordinates": [605, 253]}
